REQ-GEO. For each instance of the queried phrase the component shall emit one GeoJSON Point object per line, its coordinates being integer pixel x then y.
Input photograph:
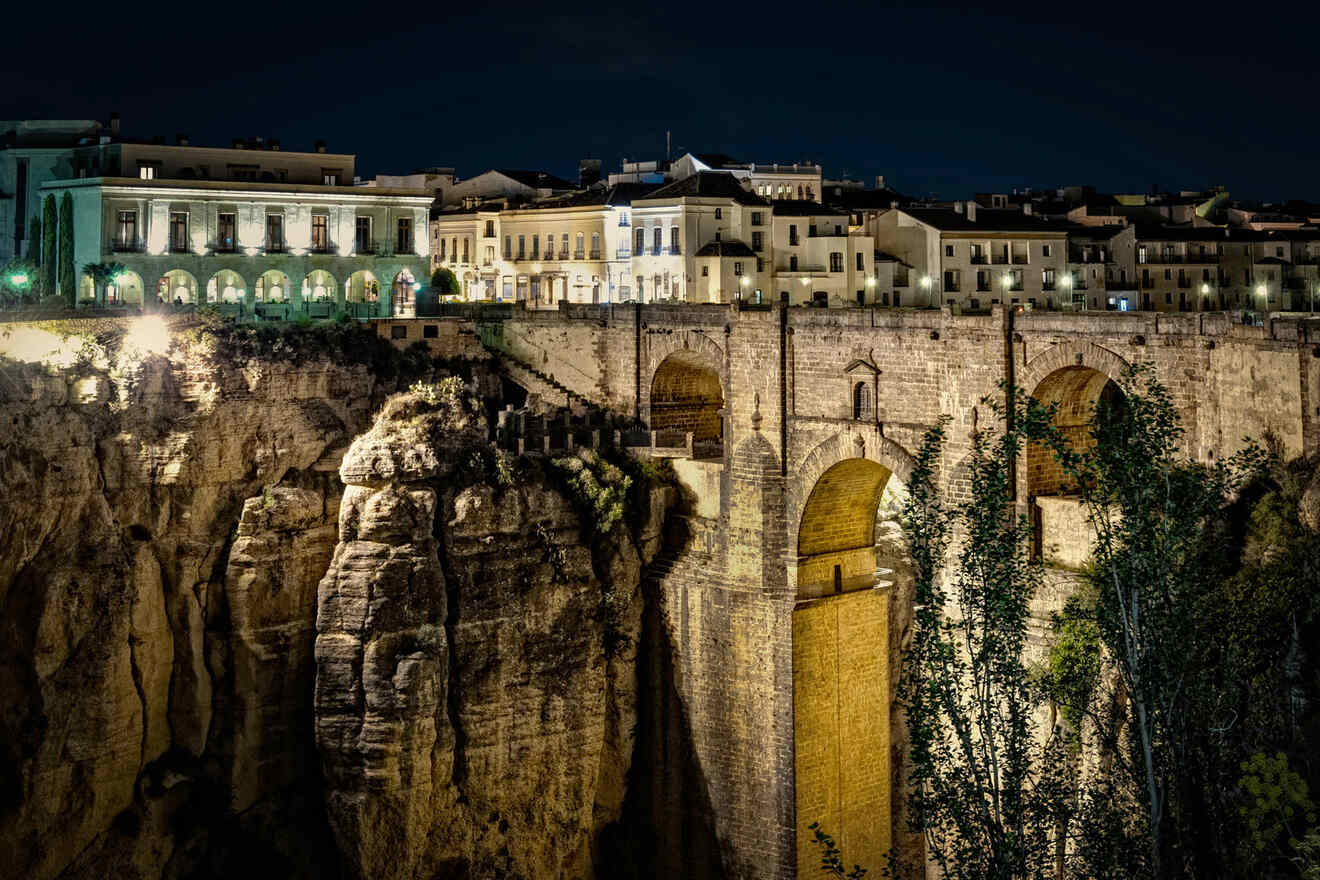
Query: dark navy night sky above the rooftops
{"type": "Point", "coordinates": [939, 101]}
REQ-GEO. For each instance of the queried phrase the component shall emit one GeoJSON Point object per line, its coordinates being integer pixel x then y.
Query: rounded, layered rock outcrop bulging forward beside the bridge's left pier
{"type": "Point", "coordinates": [469, 717]}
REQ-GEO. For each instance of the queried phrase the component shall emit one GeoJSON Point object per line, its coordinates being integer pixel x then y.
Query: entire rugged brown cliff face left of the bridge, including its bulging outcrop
{"type": "Point", "coordinates": [164, 534]}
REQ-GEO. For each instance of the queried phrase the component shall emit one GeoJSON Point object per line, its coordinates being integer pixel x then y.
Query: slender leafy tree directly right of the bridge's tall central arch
{"type": "Point", "coordinates": [984, 794]}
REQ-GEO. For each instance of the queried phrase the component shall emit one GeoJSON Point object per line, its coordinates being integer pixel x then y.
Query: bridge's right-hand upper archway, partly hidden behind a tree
{"type": "Point", "coordinates": [1079, 393]}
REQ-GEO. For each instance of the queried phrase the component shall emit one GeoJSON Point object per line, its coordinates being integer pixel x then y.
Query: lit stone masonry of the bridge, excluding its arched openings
{"type": "Point", "coordinates": [723, 676]}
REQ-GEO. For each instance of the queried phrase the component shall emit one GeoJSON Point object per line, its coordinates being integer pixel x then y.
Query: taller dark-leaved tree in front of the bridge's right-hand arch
{"type": "Point", "coordinates": [1157, 556]}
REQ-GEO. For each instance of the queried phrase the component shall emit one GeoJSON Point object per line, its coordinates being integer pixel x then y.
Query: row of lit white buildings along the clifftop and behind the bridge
{"type": "Point", "coordinates": [257, 228]}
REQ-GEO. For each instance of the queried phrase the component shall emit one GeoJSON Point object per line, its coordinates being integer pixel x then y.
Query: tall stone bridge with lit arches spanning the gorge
{"type": "Point", "coordinates": [770, 671]}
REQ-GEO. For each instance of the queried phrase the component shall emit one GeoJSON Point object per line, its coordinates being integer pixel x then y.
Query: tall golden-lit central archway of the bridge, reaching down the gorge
{"type": "Point", "coordinates": [848, 552]}
